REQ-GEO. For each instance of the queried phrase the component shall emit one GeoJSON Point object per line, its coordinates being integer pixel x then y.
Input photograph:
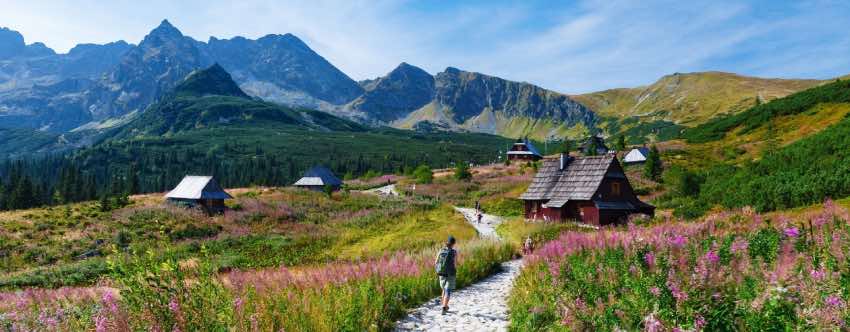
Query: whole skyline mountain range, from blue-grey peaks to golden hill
{"type": "Point", "coordinates": [70, 97]}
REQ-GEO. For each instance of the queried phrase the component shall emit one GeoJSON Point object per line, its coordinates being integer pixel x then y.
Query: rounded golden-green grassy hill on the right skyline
{"type": "Point", "coordinates": [660, 111]}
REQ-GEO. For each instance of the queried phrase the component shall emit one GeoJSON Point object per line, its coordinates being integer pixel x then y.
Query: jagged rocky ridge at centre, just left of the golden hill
{"type": "Point", "coordinates": [453, 98]}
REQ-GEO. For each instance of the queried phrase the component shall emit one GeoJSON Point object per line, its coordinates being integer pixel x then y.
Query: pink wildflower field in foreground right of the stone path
{"type": "Point", "coordinates": [727, 271]}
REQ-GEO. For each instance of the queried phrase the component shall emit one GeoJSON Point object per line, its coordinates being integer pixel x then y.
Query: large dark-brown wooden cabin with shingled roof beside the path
{"type": "Point", "coordinates": [592, 189]}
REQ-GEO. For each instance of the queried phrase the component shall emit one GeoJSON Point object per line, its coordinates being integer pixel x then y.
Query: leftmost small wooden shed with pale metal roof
{"type": "Point", "coordinates": [199, 191]}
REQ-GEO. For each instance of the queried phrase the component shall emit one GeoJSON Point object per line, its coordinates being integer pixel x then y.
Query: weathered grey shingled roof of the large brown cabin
{"type": "Point", "coordinates": [579, 180]}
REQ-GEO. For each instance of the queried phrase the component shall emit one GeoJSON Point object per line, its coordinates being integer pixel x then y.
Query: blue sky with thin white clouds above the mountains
{"type": "Point", "coordinates": [566, 46]}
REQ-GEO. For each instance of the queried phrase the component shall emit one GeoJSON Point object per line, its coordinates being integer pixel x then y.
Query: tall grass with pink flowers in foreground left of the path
{"type": "Point", "coordinates": [154, 295]}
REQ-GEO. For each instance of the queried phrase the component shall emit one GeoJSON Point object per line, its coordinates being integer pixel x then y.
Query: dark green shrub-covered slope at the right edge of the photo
{"type": "Point", "coordinates": [799, 155]}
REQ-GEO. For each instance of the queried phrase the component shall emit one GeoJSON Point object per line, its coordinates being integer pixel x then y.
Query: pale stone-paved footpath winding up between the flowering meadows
{"type": "Point", "coordinates": [479, 307]}
